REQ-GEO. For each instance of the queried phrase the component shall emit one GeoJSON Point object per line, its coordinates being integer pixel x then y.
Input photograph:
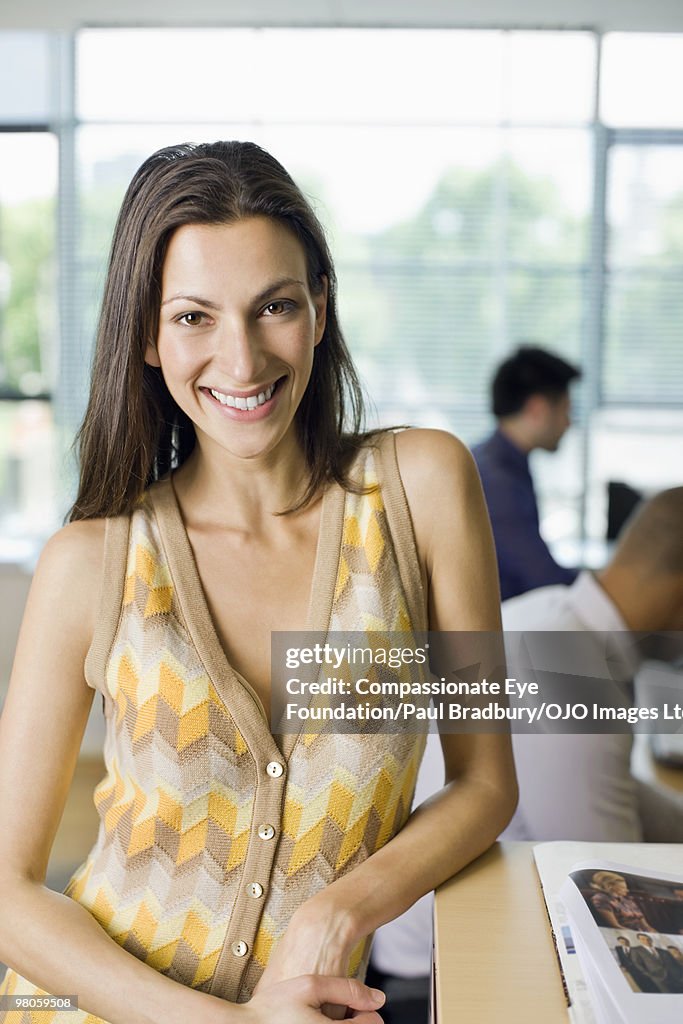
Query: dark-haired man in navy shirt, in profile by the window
{"type": "Point", "coordinates": [531, 402]}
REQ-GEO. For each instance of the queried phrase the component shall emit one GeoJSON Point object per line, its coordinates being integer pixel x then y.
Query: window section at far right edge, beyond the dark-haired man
{"type": "Point", "coordinates": [637, 428]}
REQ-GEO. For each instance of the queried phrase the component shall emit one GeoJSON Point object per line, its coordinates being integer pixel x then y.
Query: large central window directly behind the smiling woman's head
{"type": "Point", "coordinates": [454, 177]}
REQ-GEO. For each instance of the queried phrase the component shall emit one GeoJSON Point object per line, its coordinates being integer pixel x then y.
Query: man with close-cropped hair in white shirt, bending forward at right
{"type": "Point", "coordinates": [575, 787]}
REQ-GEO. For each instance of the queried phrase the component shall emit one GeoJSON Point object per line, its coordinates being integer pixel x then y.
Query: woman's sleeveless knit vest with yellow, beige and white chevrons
{"type": "Point", "coordinates": [211, 833]}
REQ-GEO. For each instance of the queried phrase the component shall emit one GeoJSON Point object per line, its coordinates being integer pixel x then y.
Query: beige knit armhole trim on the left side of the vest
{"type": "Point", "coordinates": [110, 611]}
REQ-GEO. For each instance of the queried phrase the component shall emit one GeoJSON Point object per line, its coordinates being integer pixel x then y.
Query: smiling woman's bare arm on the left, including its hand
{"type": "Point", "coordinates": [45, 935]}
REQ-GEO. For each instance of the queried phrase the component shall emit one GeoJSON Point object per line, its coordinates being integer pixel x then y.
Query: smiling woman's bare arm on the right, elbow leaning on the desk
{"type": "Point", "coordinates": [464, 819]}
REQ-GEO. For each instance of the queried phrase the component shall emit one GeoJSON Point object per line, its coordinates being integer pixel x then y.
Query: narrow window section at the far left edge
{"type": "Point", "coordinates": [29, 318]}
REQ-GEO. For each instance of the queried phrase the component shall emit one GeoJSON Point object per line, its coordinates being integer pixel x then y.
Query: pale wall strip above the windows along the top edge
{"type": "Point", "coordinates": [663, 16]}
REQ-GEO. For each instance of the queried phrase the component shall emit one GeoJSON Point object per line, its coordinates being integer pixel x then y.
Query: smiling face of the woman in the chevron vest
{"type": "Point", "coordinates": [237, 331]}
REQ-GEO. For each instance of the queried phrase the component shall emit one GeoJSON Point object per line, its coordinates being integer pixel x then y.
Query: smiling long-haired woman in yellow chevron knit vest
{"type": "Point", "coordinates": [228, 491]}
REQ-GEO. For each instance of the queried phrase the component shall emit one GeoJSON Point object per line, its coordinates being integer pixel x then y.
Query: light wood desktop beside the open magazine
{"type": "Point", "coordinates": [495, 959]}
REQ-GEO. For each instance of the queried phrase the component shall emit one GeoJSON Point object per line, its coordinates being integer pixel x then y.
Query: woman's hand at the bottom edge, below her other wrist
{"type": "Point", "coordinates": [303, 1001]}
